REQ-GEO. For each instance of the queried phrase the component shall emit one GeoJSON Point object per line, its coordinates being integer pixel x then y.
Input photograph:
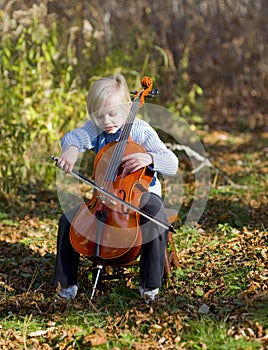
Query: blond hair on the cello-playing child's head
{"type": "Point", "coordinates": [103, 88]}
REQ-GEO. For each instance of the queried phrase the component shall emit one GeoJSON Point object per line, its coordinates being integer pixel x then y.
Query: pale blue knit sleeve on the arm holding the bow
{"type": "Point", "coordinates": [83, 138]}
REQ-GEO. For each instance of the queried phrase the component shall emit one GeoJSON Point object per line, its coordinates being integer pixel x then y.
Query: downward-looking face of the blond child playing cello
{"type": "Point", "coordinates": [112, 114]}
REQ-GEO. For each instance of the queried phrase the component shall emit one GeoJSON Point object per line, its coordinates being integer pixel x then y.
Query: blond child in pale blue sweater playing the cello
{"type": "Point", "coordinates": [108, 104]}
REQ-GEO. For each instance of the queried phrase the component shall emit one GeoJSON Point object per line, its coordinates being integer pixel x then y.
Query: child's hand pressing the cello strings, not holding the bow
{"type": "Point", "coordinates": [135, 161]}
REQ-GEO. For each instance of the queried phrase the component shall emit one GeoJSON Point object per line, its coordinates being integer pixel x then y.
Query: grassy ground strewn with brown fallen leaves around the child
{"type": "Point", "coordinates": [218, 298]}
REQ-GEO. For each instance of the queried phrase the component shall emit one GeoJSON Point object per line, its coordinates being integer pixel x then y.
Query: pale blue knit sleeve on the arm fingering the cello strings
{"type": "Point", "coordinates": [165, 161]}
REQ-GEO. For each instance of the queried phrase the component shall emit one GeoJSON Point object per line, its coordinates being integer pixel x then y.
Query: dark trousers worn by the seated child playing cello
{"type": "Point", "coordinates": [152, 250]}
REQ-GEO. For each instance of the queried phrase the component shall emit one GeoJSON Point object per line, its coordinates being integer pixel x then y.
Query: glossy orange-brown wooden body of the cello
{"type": "Point", "coordinates": [105, 230]}
